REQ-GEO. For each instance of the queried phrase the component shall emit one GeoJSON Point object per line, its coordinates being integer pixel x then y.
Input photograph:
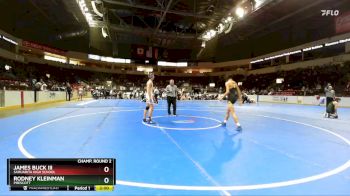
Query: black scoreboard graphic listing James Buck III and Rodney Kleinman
{"type": "Point", "coordinates": [84, 174]}
